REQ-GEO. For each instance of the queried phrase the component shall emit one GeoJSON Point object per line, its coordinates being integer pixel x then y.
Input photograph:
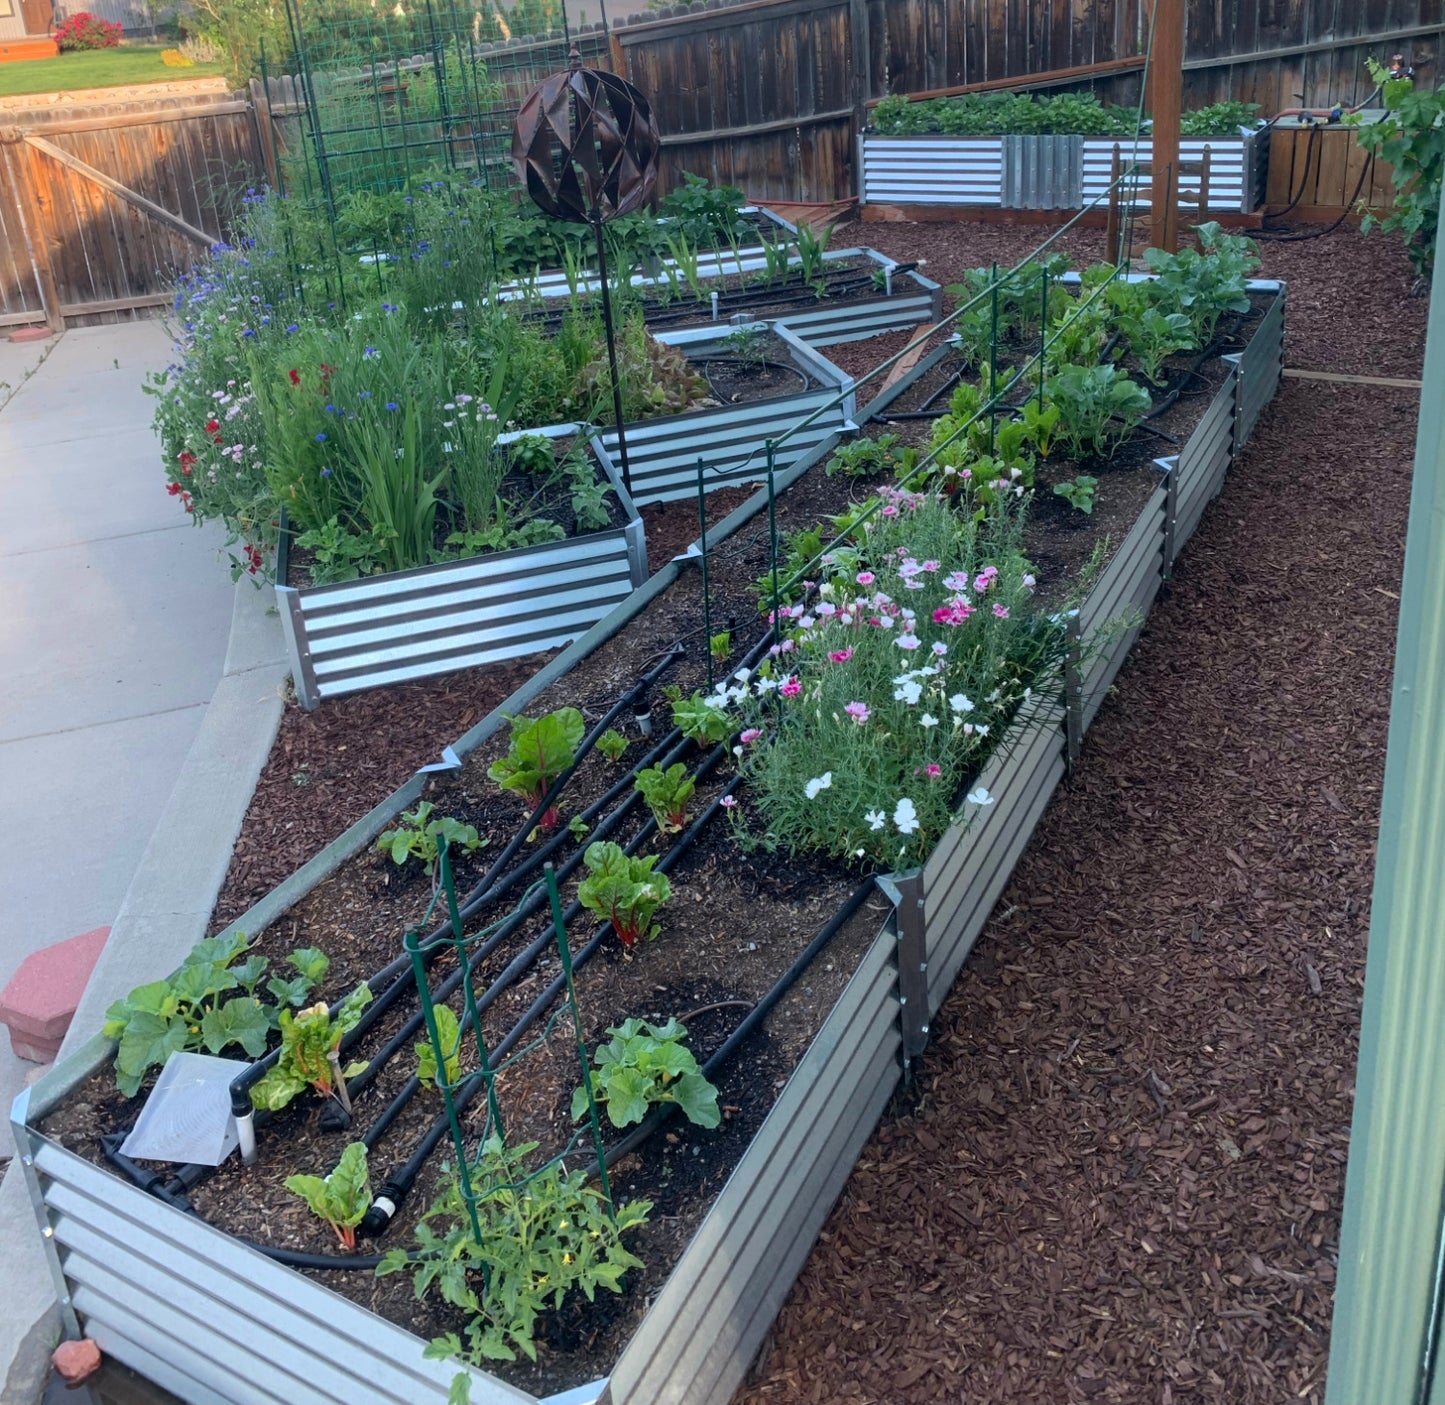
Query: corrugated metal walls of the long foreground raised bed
{"type": "Point", "coordinates": [216, 1322]}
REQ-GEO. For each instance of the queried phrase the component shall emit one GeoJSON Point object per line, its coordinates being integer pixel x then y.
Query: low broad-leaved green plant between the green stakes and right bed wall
{"type": "Point", "coordinates": [644, 1066]}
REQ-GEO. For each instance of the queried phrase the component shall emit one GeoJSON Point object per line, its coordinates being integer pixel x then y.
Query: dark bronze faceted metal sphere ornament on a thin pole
{"type": "Point", "coordinates": [586, 148]}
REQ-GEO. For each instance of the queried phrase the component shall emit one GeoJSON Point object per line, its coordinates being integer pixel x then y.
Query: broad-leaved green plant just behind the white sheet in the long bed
{"type": "Point", "coordinates": [209, 1004]}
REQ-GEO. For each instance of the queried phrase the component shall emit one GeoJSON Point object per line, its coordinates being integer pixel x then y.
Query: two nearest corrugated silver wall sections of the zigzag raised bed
{"type": "Point", "coordinates": [428, 621]}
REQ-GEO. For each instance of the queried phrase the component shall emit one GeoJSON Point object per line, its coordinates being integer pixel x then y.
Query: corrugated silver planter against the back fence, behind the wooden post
{"type": "Point", "coordinates": [1045, 173]}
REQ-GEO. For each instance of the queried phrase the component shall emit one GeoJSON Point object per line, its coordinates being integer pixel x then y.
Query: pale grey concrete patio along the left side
{"type": "Point", "coordinates": [116, 644]}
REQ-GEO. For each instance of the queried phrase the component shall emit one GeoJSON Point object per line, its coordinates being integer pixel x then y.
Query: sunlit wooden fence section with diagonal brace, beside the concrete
{"type": "Point", "coordinates": [102, 205]}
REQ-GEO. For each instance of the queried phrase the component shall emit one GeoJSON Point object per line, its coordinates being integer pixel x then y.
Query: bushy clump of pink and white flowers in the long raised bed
{"type": "Point", "coordinates": [895, 682]}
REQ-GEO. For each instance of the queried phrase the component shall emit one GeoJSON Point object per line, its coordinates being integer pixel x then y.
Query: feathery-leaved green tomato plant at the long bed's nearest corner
{"type": "Point", "coordinates": [544, 1237]}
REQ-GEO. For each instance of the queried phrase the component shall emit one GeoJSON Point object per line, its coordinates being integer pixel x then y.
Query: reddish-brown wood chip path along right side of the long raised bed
{"type": "Point", "coordinates": [1119, 1173]}
